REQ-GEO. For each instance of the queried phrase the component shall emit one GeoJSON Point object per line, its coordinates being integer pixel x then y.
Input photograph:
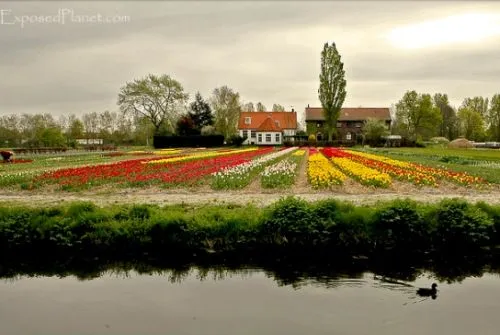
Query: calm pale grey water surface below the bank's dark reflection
{"type": "Point", "coordinates": [245, 302]}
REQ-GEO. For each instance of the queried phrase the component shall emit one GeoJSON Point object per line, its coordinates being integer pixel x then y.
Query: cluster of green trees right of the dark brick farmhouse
{"type": "Point", "coordinates": [421, 116]}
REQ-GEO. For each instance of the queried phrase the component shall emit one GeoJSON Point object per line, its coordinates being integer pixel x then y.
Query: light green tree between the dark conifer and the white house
{"type": "Point", "coordinates": [226, 106]}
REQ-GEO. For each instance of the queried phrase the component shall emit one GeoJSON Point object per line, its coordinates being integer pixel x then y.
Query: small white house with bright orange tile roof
{"type": "Point", "coordinates": [267, 128]}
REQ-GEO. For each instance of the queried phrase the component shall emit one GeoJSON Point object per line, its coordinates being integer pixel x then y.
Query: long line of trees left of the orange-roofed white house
{"type": "Point", "coordinates": [152, 105]}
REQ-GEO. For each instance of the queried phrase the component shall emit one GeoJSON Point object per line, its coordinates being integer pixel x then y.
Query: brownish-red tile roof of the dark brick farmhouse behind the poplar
{"type": "Point", "coordinates": [350, 114]}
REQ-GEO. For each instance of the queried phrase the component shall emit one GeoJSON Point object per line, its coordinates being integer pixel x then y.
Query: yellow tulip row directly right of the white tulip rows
{"type": "Point", "coordinates": [321, 173]}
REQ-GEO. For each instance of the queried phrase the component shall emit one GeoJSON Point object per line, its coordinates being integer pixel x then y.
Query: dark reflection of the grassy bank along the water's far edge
{"type": "Point", "coordinates": [388, 274]}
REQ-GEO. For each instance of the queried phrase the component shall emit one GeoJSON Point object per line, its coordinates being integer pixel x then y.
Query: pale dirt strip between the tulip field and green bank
{"type": "Point", "coordinates": [164, 197]}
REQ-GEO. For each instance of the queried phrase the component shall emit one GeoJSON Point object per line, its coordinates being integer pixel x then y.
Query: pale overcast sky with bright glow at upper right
{"type": "Point", "coordinates": [267, 51]}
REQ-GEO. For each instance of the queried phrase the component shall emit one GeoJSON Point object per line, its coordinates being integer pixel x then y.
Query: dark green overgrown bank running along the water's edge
{"type": "Point", "coordinates": [291, 227]}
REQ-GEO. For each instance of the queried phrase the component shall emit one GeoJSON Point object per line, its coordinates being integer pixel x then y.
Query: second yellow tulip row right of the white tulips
{"type": "Point", "coordinates": [361, 173]}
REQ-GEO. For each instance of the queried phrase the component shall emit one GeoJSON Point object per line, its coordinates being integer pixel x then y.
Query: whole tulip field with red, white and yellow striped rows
{"type": "Point", "coordinates": [229, 169]}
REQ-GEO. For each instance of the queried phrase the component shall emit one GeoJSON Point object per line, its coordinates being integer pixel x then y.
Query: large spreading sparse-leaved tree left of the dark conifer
{"type": "Point", "coordinates": [159, 98]}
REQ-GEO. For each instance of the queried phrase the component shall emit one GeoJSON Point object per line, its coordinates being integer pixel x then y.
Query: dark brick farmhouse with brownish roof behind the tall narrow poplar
{"type": "Point", "coordinates": [349, 124]}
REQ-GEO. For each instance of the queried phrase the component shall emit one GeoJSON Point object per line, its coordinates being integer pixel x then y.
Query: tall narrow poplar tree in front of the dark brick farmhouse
{"type": "Point", "coordinates": [331, 91]}
